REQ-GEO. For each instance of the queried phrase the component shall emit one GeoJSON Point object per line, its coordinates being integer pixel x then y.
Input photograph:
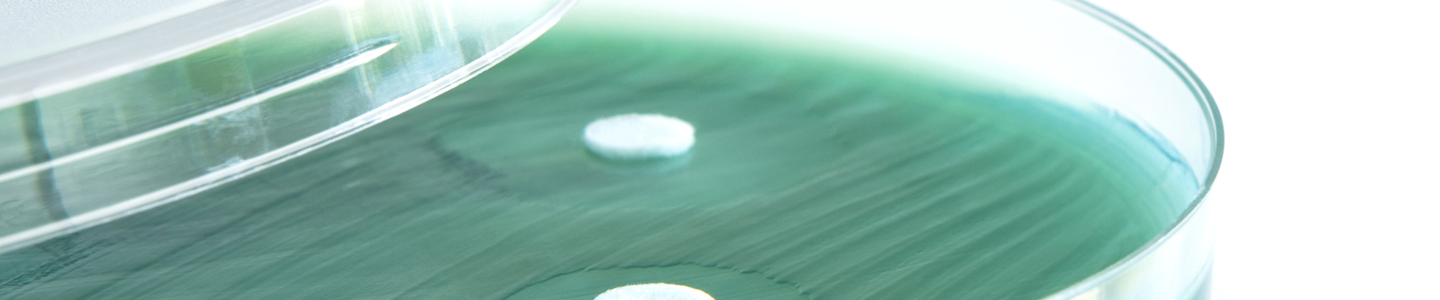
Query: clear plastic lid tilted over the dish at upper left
{"type": "Point", "coordinates": [114, 107]}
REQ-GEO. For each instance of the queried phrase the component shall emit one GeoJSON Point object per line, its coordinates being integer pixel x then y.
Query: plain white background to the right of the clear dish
{"type": "Point", "coordinates": [1330, 181]}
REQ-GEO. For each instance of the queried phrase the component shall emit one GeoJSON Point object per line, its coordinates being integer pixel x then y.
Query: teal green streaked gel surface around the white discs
{"type": "Point", "coordinates": [813, 177]}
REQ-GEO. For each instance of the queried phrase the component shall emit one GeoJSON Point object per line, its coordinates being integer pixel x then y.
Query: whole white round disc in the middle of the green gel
{"type": "Point", "coordinates": [639, 136]}
